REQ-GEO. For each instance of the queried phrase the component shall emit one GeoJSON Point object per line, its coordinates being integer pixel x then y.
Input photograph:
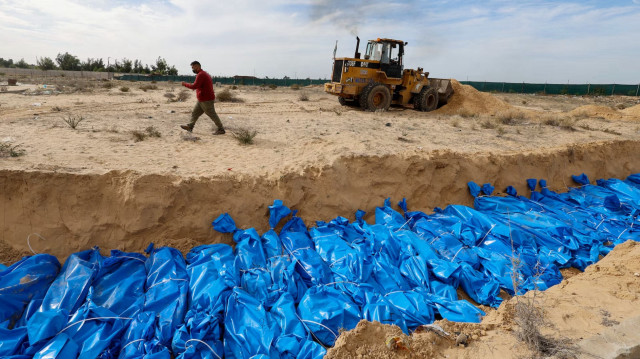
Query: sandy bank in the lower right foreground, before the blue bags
{"type": "Point", "coordinates": [579, 307]}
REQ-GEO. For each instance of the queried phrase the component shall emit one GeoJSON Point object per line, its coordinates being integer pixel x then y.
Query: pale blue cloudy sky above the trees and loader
{"type": "Point", "coordinates": [494, 40]}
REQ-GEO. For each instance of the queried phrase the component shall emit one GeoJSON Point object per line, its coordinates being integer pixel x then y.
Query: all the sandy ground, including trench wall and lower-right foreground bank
{"type": "Point", "coordinates": [97, 185]}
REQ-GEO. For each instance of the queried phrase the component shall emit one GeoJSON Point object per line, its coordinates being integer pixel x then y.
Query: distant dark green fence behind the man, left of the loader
{"type": "Point", "coordinates": [227, 80]}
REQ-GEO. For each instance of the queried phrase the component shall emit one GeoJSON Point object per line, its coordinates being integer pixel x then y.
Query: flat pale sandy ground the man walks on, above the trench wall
{"type": "Point", "coordinates": [291, 133]}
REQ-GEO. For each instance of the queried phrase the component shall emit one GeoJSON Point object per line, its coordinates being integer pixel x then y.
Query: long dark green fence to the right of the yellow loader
{"type": "Point", "coordinates": [556, 89]}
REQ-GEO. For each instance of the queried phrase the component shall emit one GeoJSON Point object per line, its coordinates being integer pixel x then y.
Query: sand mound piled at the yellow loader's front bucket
{"type": "Point", "coordinates": [467, 99]}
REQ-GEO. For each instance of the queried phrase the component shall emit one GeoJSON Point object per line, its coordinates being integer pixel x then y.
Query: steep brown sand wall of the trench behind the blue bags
{"type": "Point", "coordinates": [128, 210]}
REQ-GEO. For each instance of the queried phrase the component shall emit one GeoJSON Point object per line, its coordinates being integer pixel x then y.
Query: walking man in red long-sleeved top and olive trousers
{"type": "Point", "coordinates": [204, 92]}
